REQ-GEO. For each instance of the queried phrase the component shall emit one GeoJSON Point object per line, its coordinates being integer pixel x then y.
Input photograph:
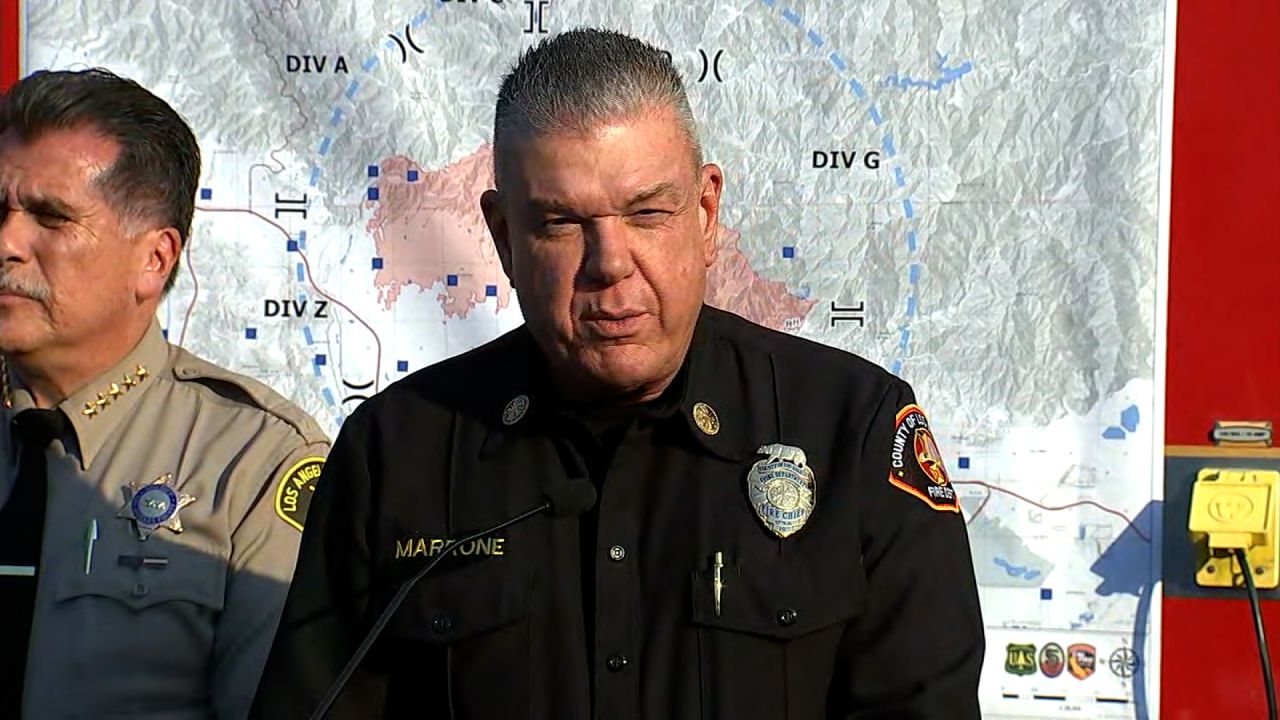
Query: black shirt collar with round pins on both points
{"type": "Point", "coordinates": [708, 402]}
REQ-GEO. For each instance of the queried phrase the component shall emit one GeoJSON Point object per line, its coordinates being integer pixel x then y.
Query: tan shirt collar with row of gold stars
{"type": "Point", "coordinates": [103, 404]}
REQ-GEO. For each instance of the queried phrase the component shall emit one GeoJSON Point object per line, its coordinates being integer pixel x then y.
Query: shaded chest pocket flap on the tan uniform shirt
{"type": "Point", "coordinates": [148, 575]}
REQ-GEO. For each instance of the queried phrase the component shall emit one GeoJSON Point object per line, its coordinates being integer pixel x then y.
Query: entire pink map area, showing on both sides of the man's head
{"type": "Point", "coordinates": [432, 229]}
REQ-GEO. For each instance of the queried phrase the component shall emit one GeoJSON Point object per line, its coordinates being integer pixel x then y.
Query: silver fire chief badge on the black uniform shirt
{"type": "Point", "coordinates": [781, 489]}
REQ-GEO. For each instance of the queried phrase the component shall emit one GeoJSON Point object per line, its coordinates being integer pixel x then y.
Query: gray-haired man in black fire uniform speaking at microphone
{"type": "Point", "coordinates": [775, 537]}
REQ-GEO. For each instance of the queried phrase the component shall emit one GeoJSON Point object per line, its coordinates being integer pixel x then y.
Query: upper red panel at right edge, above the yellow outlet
{"type": "Point", "coordinates": [1224, 267]}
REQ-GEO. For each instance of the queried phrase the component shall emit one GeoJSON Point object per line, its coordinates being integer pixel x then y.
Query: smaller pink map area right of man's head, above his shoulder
{"type": "Point", "coordinates": [734, 286]}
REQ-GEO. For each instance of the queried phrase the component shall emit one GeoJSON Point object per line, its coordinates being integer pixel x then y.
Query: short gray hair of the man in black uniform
{"type": "Point", "coordinates": [583, 79]}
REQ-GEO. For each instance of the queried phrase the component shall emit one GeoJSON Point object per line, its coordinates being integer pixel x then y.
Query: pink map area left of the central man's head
{"type": "Point", "coordinates": [432, 229]}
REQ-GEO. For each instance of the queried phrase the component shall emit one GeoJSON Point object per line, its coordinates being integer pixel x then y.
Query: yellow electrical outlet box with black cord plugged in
{"type": "Point", "coordinates": [1236, 508]}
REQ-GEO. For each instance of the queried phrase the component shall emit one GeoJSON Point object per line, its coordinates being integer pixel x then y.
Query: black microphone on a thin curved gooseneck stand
{"type": "Point", "coordinates": [565, 500]}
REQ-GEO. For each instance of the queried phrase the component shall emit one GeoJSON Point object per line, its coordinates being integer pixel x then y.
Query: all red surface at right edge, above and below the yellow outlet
{"type": "Point", "coordinates": [1224, 311]}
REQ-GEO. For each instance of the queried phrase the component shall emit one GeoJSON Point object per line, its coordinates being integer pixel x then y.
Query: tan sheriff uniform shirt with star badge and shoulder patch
{"type": "Point", "coordinates": [176, 626]}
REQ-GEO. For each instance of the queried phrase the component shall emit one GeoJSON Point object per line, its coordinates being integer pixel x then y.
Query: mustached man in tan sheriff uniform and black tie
{"type": "Point", "coordinates": [152, 504]}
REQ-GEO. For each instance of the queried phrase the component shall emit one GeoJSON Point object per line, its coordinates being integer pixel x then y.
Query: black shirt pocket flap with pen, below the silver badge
{"type": "Point", "coordinates": [784, 601]}
